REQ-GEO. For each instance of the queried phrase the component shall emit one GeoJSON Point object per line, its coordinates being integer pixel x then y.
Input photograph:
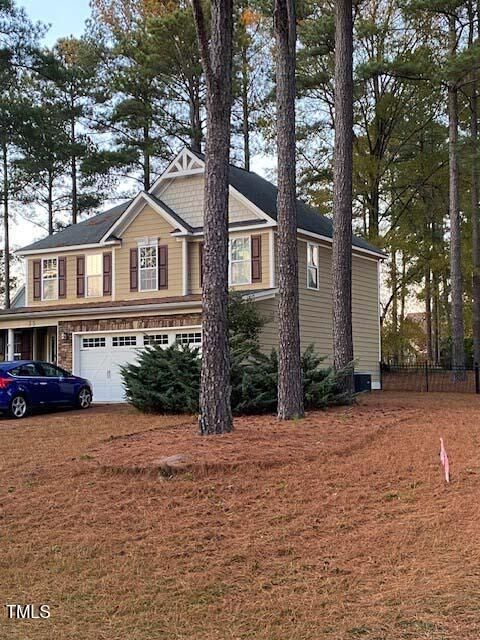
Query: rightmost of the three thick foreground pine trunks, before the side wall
{"type": "Point", "coordinates": [342, 191]}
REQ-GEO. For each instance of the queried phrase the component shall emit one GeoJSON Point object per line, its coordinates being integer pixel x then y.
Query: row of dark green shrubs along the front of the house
{"type": "Point", "coordinates": [168, 380]}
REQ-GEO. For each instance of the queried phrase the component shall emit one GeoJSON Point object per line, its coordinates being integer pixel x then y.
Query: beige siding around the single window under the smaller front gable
{"type": "Point", "coordinates": [148, 223]}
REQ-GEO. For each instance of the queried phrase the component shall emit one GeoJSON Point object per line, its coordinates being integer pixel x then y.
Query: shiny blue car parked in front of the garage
{"type": "Point", "coordinates": [27, 384]}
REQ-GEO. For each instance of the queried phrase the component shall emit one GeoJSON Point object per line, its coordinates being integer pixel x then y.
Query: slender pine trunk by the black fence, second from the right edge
{"type": "Point", "coordinates": [458, 351]}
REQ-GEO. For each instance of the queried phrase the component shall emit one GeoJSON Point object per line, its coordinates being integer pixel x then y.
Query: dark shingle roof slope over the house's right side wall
{"type": "Point", "coordinates": [263, 194]}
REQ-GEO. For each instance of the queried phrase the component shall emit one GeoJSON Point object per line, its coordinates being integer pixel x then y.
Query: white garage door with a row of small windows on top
{"type": "Point", "coordinates": [99, 356]}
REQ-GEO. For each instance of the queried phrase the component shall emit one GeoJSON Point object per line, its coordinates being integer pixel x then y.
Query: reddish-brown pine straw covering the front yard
{"type": "Point", "coordinates": [336, 526]}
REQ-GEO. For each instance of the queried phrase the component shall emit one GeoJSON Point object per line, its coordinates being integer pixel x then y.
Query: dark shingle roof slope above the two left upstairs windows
{"type": "Point", "coordinates": [87, 232]}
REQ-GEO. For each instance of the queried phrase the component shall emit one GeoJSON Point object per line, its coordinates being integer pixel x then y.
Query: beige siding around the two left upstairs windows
{"type": "Point", "coordinates": [71, 278]}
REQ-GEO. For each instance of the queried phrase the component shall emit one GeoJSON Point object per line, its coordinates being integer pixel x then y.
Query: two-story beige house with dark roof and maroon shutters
{"type": "Point", "coordinates": [131, 276]}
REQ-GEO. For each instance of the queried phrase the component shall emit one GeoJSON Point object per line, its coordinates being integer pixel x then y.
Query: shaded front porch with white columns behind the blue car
{"type": "Point", "coordinates": [29, 343]}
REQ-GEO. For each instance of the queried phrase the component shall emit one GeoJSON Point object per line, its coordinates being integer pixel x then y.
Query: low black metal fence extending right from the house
{"type": "Point", "coordinates": [428, 377]}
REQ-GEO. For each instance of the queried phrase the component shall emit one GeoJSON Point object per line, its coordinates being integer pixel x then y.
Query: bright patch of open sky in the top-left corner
{"type": "Point", "coordinates": [66, 17]}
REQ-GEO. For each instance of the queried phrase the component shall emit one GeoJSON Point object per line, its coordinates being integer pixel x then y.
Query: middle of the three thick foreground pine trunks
{"type": "Point", "coordinates": [290, 385]}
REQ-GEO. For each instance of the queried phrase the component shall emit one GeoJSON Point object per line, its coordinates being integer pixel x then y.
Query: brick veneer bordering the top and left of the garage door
{"type": "Point", "coordinates": [115, 324]}
